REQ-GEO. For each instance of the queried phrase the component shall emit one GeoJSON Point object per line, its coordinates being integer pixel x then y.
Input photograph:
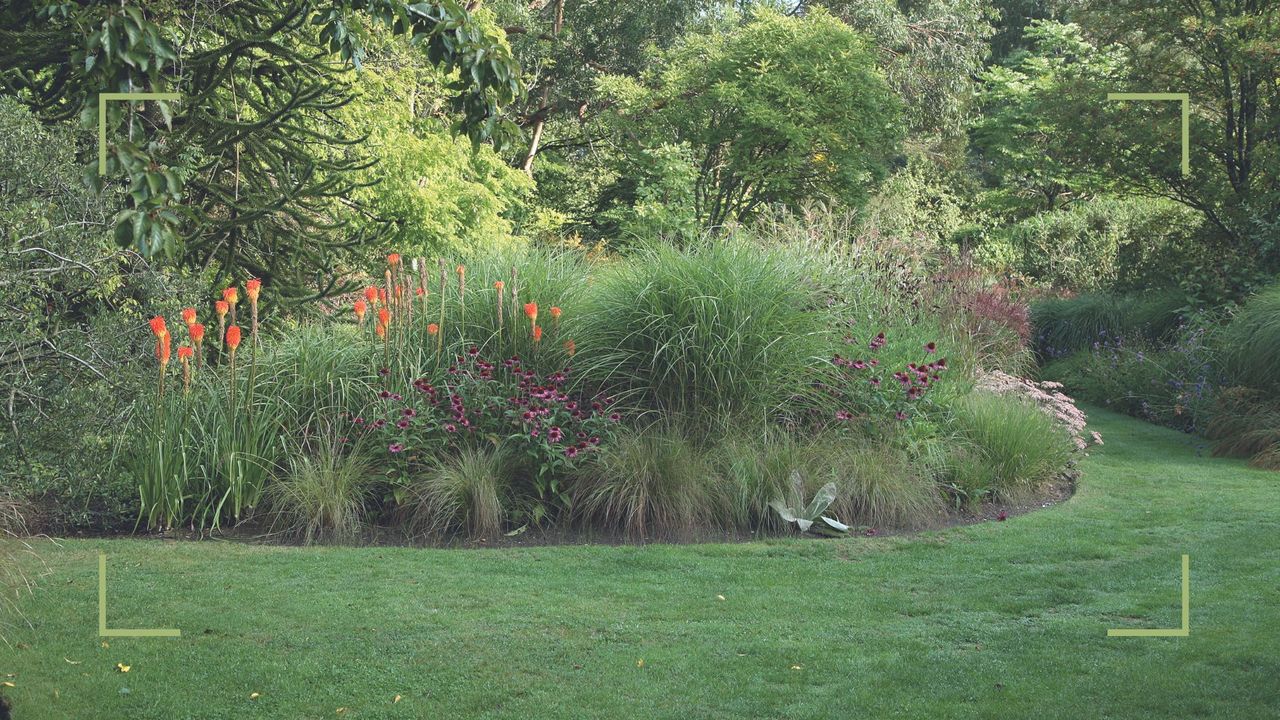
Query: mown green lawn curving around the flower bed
{"type": "Point", "coordinates": [994, 621]}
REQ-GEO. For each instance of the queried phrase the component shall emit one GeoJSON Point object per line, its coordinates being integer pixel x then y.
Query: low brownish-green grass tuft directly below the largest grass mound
{"type": "Point", "coordinates": [653, 482]}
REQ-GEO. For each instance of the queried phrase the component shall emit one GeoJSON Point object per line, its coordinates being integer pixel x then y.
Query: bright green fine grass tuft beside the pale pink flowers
{"type": "Point", "coordinates": [1020, 446]}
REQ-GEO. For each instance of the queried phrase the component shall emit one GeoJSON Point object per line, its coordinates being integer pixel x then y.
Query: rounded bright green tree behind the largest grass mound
{"type": "Point", "coordinates": [775, 111]}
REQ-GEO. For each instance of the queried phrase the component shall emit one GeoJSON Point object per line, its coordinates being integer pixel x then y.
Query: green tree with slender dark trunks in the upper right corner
{"type": "Point", "coordinates": [1227, 56]}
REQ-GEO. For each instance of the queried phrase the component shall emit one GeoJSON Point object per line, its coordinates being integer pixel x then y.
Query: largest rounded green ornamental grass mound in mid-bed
{"type": "Point", "coordinates": [719, 329]}
